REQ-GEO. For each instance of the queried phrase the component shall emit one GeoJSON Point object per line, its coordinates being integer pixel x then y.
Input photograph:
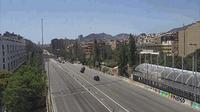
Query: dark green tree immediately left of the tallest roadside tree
{"type": "Point", "coordinates": [122, 60]}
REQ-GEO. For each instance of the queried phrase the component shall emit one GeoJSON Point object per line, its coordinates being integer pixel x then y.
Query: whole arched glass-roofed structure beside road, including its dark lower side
{"type": "Point", "coordinates": [177, 81]}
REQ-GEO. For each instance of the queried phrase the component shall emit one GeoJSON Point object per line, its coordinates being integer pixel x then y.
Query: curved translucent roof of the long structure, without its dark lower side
{"type": "Point", "coordinates": [168, 74]}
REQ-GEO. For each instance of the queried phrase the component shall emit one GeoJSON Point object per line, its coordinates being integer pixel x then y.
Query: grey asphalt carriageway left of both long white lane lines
{"type": "Point", "coordinates": [69, 96]}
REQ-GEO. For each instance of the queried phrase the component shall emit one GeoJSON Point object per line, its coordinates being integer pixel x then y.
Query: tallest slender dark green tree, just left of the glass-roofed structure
{"type": "Point", "coordinates": [131, 51]}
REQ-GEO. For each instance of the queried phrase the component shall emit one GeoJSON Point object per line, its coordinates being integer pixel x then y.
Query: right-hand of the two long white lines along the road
{"type": "Point", "coordinates": [100, 91]}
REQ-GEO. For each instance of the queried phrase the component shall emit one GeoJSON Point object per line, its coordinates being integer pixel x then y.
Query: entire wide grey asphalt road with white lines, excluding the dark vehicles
{"type": "Point", "coordinates": [72, 91]}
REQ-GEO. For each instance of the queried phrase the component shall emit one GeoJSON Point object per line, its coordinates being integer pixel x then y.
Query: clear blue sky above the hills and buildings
{"type": "Point", "coordinates": [70, 18]}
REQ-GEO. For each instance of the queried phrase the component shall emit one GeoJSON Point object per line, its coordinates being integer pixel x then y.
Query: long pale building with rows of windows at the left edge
{"type": "Point", "coordinates": [12, 53]}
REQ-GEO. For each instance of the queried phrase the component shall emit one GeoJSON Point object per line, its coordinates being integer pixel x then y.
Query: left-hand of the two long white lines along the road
{"type": "Point", "coordinates": [88, 91]}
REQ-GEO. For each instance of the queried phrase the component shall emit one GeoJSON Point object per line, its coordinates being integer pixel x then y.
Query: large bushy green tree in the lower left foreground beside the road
{"type": "Point", "coordinates": [26, 90]}
